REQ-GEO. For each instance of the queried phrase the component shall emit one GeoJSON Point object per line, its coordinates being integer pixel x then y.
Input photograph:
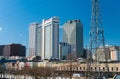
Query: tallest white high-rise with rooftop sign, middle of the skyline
{"type": "Point", "coordinates": [50, 38]}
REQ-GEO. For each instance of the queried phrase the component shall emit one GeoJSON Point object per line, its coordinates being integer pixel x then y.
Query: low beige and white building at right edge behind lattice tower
{"type": "Point", "coordinates": [109, 53]}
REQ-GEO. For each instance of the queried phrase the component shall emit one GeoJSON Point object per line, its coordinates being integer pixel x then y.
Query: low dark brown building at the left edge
{"type": "Point", "coordinates": [13, 50]}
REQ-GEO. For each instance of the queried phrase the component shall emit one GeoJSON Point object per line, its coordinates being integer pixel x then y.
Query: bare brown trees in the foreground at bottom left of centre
{"type": "Point", "coordinates": [37, 72]}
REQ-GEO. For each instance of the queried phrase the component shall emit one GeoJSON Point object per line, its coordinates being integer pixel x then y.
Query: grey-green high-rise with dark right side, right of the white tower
{"type": "Point", "coordinates": [73, 35]}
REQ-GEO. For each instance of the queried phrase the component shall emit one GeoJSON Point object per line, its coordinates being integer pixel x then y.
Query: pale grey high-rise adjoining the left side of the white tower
{"type": "Point", "coordinates": [35, 34]}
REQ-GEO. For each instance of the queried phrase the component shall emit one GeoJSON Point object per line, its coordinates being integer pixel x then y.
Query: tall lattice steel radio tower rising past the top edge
{"type": "Point", "coordinates": [96, 39]}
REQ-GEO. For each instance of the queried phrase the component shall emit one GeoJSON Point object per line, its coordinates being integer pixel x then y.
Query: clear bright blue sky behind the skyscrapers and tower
{"type": "Point", "coordinates": [16, 15]}
